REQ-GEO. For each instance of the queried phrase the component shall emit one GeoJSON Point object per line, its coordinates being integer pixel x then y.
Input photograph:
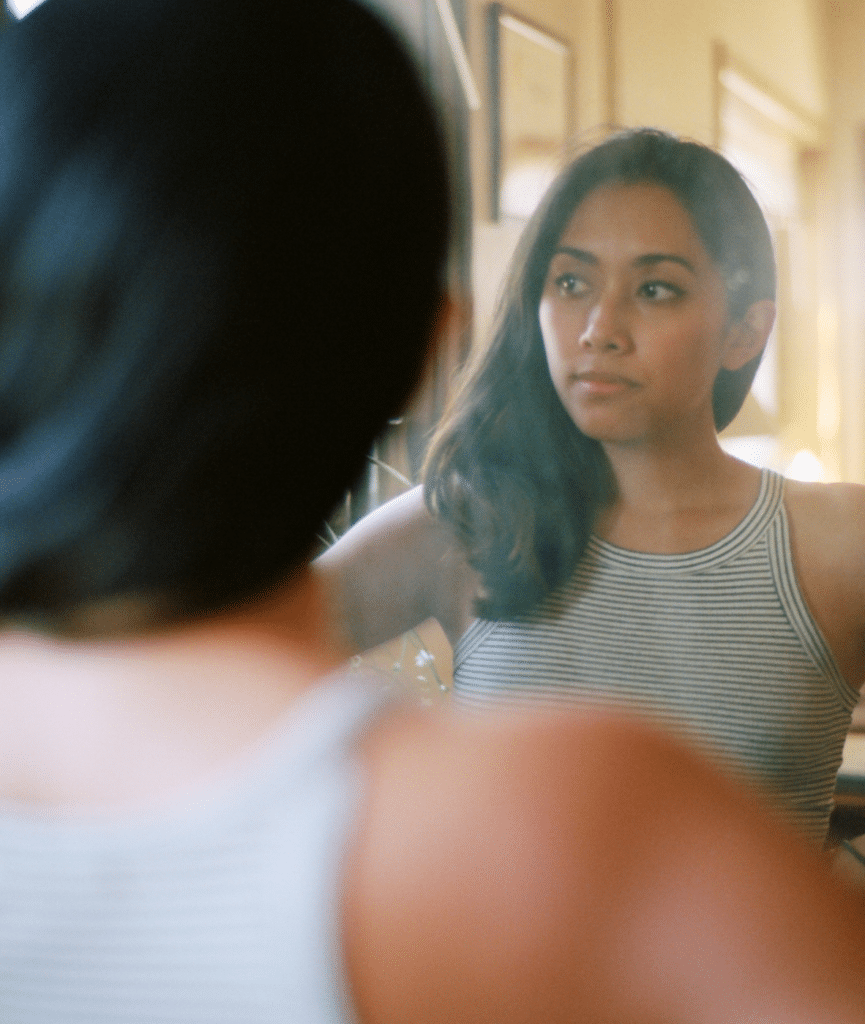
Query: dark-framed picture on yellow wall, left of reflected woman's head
{"type": "Point", "coordinates": [531, 109]}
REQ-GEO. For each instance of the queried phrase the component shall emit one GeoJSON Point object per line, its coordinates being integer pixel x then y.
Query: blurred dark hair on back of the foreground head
{"type": "Point", "coordinates": [223, 232]}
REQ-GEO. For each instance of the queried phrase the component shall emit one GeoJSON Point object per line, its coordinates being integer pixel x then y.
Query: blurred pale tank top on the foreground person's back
{"type": "Point", "coordinates": [224, 911]}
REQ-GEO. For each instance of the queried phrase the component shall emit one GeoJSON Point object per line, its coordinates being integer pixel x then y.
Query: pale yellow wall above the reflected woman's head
{"type": "Point", "coordinates": [663, 60]}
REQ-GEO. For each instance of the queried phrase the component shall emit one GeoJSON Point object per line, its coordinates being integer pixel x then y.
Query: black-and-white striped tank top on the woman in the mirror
{"type": "Point", "coordinates": [717, 646]}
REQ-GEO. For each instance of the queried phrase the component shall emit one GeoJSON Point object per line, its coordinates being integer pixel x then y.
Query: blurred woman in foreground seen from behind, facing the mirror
{"type": "Point", "coordinates": [224, 233]}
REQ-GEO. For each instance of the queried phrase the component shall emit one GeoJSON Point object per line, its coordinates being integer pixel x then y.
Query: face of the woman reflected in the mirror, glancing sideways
{"type": "Point", "coordinates": [634, 318]}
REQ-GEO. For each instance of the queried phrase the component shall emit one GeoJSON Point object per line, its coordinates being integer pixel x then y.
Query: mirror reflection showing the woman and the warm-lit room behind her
{"type": "Point", "coordinates": [776, 91]}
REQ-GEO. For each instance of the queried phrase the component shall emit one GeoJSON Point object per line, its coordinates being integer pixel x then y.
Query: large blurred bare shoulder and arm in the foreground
{"type": "Point", "coordinates": [514, 869]}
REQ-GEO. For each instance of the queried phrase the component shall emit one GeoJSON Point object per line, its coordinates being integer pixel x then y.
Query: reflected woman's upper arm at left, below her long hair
{"type": "Point", "coordinates": [387, 574]}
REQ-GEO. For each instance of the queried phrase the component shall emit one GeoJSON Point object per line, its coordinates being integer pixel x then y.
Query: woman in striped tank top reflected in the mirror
{"type": "Point", "coordinates": [583, 538]}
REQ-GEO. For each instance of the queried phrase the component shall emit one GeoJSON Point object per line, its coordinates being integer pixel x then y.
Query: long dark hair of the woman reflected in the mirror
{"type": "Point", "coordinates": [507, 468]}
